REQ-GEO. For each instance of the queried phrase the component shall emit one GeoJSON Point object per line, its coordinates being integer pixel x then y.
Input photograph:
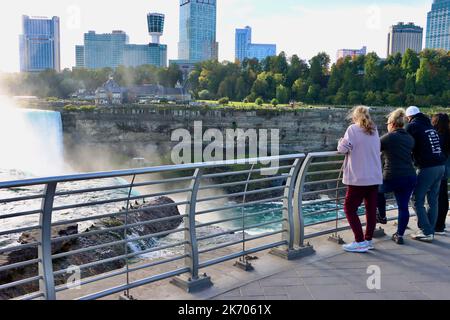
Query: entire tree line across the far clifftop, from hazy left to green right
{"type": "Point", "coordinates": [421, 79]}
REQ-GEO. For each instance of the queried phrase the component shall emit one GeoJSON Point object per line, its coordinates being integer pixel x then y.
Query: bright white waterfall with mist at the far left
{"type": "Point", "coordinates": [31, 141]}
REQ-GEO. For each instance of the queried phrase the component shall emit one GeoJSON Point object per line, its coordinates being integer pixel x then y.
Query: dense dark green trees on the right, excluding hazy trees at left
{"type": "Point", "coordinates": [421, 78]}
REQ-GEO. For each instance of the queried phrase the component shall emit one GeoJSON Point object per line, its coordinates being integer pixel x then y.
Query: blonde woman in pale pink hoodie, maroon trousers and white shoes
{"type": "Point", "coordinates": [362, 175]}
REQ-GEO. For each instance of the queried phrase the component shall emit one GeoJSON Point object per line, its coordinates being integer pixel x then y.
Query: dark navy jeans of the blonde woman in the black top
{"type": "Point", "coordinates": [402, 188]}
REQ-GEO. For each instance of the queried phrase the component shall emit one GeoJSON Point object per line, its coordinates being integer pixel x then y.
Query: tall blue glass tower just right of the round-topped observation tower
{"type": "Point", "coordinates": [198, 20]}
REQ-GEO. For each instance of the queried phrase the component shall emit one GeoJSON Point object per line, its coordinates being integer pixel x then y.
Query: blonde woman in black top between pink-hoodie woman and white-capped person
{"type": "Point", "coordinates": [398, 171]}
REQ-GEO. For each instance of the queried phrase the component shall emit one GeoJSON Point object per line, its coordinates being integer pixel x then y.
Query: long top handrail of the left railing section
{"type": "Point", "coordinates": [132, 172]}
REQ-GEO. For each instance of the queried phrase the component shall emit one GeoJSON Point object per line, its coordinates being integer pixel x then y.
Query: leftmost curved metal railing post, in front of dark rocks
{"type": "Point", "coordinates": [46, 282]}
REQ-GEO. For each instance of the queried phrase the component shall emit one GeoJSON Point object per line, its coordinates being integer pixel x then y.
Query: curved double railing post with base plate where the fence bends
{"type": "Point", "coordinates": [292, 219]}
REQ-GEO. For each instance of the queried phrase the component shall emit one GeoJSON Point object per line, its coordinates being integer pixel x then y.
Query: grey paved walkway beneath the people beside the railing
{"type": "Point", "coordinates": [415, 271]}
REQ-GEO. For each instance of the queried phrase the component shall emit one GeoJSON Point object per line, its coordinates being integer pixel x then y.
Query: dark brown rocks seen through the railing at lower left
{"type": "Point", "coordinates": [147, 214]}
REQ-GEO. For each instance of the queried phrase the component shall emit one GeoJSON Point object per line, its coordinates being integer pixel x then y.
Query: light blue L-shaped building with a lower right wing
{"type": "Point", "coordinates": [246, 49]}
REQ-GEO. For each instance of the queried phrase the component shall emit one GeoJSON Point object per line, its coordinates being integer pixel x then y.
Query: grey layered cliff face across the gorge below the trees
{"type": "Point", "coordinates": [142, 128]}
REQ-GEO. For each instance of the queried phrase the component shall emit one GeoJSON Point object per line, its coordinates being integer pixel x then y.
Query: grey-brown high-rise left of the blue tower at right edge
{"type": "Point", "coordinates": [403, 36]}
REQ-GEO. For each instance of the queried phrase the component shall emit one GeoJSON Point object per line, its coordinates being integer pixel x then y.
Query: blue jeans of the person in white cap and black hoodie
{"type": "Point", "coordinates": [428, 186]}
